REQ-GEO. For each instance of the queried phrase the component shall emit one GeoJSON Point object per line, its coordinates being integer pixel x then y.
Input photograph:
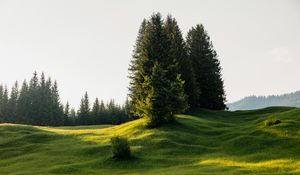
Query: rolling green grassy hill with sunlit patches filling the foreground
{"type": "Point", "coordinates": [206, 142]}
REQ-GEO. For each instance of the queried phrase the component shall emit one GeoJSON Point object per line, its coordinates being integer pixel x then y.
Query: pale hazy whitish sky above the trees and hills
{"type": "Point", "coordinates": [86, 45]}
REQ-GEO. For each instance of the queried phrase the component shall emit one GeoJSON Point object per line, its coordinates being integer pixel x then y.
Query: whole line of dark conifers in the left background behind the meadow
{"type": "Point", "coordinates": [37, 102]}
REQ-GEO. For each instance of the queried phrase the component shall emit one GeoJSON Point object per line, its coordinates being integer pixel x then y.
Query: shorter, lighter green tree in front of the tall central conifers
{"type": "Point", "coordinates": [165, 97]}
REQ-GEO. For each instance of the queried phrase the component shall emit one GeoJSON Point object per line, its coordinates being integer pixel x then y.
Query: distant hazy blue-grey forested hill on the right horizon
{"type": "Point", "coordinates": [257, 102]}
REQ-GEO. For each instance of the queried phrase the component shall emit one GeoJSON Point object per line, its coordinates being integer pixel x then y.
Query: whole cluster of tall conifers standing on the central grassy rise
{"type": "Point", "coordinates": [170, 75]}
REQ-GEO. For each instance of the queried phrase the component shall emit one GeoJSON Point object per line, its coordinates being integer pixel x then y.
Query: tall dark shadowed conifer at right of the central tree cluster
{"type": "Point", "coordinates": [207, 69]}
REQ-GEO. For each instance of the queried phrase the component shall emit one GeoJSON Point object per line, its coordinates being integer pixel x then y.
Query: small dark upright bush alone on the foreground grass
{"type": "Point", "coordinates": [120, 148]}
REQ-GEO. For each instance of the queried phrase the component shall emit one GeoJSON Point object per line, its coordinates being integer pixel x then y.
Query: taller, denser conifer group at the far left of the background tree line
{"type": "Point", "coordinates": [36, 102]}
